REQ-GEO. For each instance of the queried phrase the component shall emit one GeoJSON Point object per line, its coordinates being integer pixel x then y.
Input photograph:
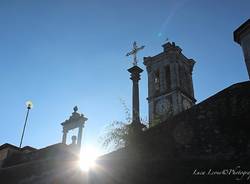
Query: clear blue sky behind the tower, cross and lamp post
{"type": "Point", "coordinates": [65, 53]}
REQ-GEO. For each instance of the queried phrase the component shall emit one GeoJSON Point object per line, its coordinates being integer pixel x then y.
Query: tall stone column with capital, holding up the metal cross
{"type": "Point", "coordinates": [135, 77]}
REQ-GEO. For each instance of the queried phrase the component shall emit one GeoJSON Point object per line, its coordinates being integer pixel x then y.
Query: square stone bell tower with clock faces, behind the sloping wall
{"type": "Point", "coordinates": [170, 84]}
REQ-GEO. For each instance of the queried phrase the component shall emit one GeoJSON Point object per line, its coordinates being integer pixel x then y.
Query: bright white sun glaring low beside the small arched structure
{"type": "Point", "coordinates": [88, 158]}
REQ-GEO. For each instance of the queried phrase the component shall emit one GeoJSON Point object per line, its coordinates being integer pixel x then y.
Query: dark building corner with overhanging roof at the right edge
{"type": "Point", "coordinates": [242, 37]}
